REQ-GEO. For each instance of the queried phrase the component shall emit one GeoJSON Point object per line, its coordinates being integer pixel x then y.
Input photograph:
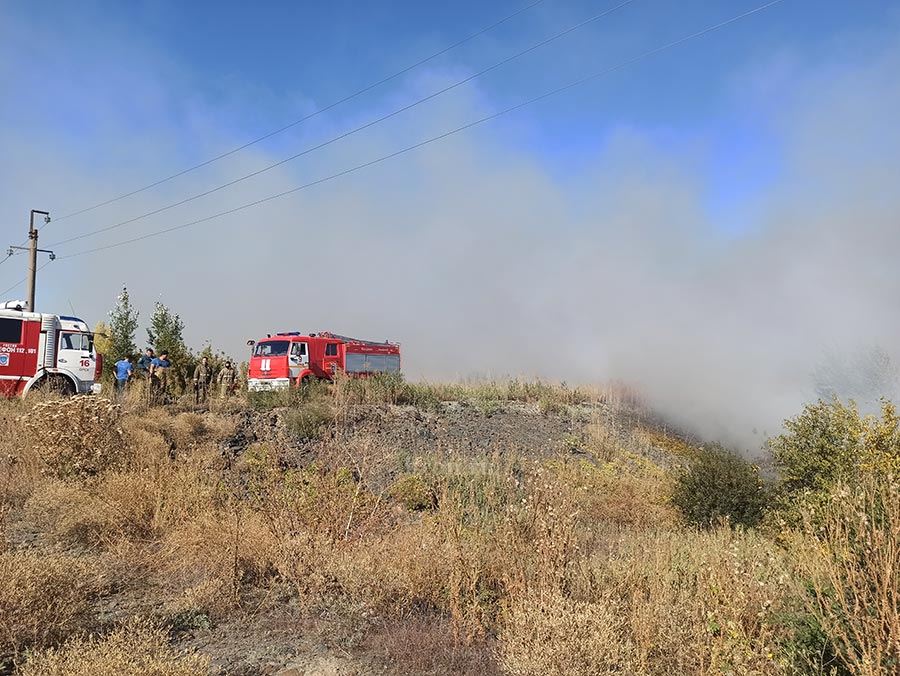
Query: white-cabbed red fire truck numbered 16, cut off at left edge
{"type": "Point", "coordinates": [39, 350]}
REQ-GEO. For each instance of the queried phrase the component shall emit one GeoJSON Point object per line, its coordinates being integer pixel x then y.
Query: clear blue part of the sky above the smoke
{"type": "Point", "coordinates": [263, 66]}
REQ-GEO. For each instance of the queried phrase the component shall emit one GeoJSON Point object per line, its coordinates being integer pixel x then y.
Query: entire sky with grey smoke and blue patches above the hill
{"type": "Point", "coordinates": [706, 223]}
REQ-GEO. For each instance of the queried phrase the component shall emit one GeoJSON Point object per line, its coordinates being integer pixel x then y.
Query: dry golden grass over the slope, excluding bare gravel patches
{"type": "Point", "coordinates": [569, 565]}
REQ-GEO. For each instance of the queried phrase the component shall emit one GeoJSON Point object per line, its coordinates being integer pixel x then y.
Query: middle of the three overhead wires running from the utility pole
{"type": "Point", "coordinates": [356, 130]}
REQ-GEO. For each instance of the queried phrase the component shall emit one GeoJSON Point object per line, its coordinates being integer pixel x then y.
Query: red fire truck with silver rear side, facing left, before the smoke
{"type": "Point", "coordinates": [287, 359]}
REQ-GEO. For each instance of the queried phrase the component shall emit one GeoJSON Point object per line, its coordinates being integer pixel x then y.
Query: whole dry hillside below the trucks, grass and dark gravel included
{"type": "Point", "coordinates": [332, 533]}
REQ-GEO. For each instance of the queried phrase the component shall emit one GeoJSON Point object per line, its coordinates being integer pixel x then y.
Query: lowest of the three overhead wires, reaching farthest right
{"type": "Point", "coordinates": [358, 167]}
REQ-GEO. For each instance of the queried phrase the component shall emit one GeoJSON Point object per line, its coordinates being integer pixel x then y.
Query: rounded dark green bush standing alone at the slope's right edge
{"type": "Point", "coordinates": [717, 484]}
